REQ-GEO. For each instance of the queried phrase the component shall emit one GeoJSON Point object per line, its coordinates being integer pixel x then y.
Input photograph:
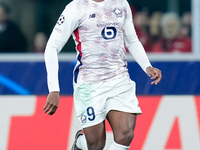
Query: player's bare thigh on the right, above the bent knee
{"type": "Point", "coordinates": [122, 123]}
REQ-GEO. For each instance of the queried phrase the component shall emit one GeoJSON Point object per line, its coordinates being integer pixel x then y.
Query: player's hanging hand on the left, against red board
{"type": "Point", "coordinates": [51, 103]}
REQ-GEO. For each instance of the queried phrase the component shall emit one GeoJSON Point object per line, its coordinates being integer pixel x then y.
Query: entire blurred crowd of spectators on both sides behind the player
{"type": "Point", "coordinates": [158, 32]}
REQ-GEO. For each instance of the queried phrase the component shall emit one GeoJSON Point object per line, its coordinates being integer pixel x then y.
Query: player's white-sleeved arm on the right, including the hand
{"type": "Point", "coordinates": [137, 50]}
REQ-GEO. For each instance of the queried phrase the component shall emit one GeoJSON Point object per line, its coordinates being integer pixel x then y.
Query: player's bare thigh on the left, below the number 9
{"type": "Point", "coordinates": [95, 134]}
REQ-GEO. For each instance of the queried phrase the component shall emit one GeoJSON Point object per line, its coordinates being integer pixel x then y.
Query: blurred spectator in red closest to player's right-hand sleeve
{"type": "Point", "coordinates": [140, 20]}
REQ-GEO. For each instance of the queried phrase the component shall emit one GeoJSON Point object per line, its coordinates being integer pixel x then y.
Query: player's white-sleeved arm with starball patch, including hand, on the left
{"type": "Point", "coordinates": [66, 24]}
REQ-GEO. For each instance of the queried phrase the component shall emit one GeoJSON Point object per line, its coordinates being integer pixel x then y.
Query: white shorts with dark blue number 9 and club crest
{"type": "Point", "coordinates": [93, 101]}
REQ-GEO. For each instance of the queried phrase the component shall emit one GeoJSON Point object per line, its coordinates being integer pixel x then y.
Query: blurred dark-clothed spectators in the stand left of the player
{"type": "Point", "coordinates": [13, 40]}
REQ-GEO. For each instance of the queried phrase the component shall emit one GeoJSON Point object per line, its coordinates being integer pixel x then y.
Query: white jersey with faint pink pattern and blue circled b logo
{"type": "Point", "coordinates": [98, 32]}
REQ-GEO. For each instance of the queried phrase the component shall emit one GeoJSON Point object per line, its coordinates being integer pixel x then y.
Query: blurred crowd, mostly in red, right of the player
{"type": "Point", "coordinates": [163, 32]}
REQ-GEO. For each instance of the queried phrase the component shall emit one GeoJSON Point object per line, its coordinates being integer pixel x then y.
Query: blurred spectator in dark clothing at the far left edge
{"type": "Point", "coordinates": [11, 38]}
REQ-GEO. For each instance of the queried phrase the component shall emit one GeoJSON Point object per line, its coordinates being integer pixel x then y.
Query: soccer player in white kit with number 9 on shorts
{"type": "Point", "coordinates": [102, 86]}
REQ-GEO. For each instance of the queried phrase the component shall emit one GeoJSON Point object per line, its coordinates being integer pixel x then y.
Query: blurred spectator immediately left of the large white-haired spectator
{"type": "Point", "coordinates": [154, 27]}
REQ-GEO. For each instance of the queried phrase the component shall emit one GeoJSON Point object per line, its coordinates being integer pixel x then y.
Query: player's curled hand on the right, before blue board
{"type": "Point", "coordinates": [155, 74]}
